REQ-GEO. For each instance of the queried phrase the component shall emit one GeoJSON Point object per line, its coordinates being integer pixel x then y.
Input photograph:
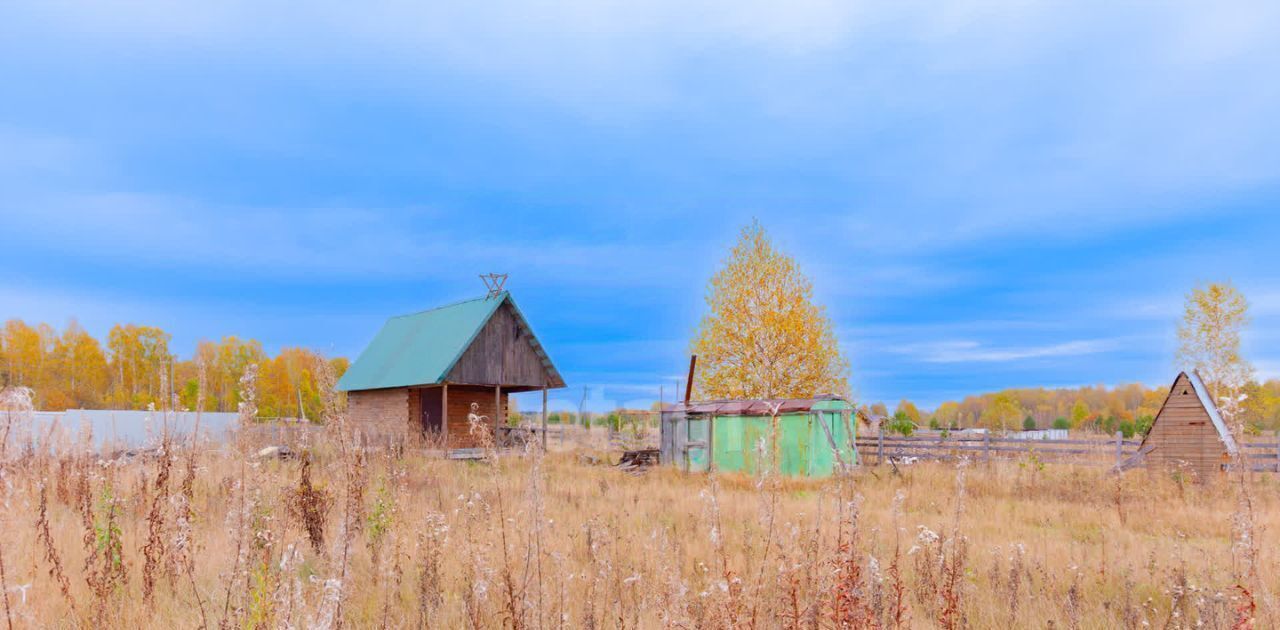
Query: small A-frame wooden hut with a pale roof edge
{"type": "Point", "coordinates": [1188, 432]}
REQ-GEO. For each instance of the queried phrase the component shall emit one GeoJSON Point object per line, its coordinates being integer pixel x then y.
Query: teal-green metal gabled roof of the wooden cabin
{"type": "Point", "coordinates": [422, 349]}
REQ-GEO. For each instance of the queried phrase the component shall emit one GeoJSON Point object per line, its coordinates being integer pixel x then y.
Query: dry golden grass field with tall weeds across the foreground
{"type": "Point", "coordinates": [214, 537]}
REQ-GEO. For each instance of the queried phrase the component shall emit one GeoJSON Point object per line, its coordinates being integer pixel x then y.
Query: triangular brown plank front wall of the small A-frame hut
{"type": "Point", "coordinates": [1183, 432]}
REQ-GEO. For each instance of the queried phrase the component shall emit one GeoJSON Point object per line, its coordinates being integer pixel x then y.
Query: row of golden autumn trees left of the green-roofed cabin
{"type": "Point", "coordinates": [72, 369]}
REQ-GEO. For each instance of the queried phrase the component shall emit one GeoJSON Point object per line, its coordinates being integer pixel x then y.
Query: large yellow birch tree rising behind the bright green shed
{"type": "Point", "coordinates": [764, 337]}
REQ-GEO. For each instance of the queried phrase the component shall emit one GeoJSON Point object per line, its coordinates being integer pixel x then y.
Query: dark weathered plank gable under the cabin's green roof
{"type": "Point", "coordinates": [501, 354]}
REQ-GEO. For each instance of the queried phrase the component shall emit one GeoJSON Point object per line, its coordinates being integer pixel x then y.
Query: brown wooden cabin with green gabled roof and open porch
{"type": "Point", "coordinates": [423, 372]}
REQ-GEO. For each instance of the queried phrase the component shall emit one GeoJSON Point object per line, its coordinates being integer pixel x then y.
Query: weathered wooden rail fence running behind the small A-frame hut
{"type": "Point", "coordinates": [1263, 456]}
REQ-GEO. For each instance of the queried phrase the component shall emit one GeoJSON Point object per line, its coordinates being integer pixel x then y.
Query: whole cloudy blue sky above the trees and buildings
{"type": "Point", "coordinates": [986, 195]}
